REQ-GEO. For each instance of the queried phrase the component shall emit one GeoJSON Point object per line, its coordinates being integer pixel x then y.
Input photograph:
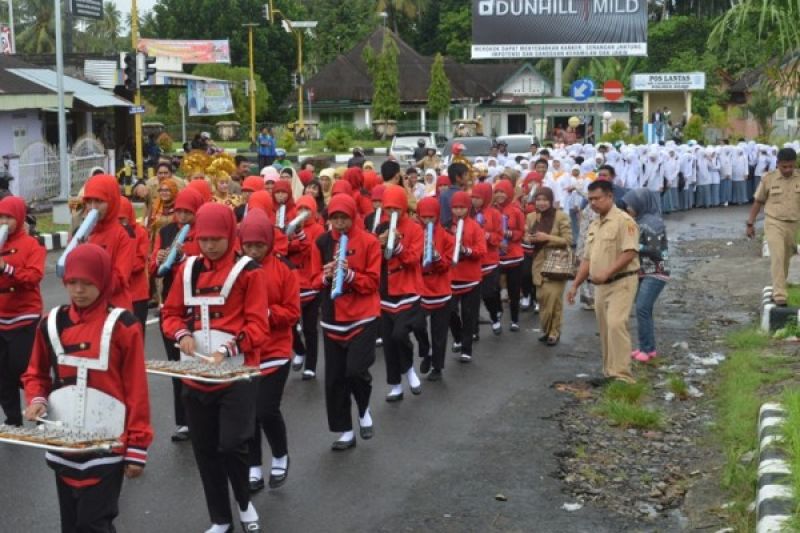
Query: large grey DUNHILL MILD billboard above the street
{"type": "Point", "coordinates": [558, 28]}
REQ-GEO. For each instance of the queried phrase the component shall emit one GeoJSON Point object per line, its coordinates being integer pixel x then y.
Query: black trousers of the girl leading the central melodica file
{"type": "Point", "coordinates": [347, 374]}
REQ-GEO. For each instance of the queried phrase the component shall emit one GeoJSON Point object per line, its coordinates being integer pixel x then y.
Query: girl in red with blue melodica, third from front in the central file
{"type": "Point", "coordinates": [435, 290]}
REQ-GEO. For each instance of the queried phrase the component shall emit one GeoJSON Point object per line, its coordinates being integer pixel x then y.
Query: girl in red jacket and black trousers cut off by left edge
{"type": "Point", "coordinates": [21, 270]}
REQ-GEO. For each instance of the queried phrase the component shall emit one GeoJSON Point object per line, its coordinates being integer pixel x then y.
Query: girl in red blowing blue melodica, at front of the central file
{"type": "Point", "coordinates": [350, 322]}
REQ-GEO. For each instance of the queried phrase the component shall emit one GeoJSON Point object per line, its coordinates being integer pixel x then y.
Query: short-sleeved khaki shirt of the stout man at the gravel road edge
{"type": "Point", "coordinates": [607, 238]}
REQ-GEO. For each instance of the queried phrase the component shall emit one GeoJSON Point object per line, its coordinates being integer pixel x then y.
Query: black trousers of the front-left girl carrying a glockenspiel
{"type": "Point", "coordinates": [91, 509]}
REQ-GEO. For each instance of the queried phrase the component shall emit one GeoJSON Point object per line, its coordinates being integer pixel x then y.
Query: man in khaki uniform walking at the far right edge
{"type": "Point", "coordinates": [779, 194]}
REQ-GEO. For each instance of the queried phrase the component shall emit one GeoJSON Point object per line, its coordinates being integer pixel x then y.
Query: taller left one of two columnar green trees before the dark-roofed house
{"type": "Point", "coordinates": [385, 74]}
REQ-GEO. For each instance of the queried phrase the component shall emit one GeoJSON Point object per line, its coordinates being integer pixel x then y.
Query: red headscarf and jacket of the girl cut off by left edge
{"type": "Point", "coordinates": [20, 298]}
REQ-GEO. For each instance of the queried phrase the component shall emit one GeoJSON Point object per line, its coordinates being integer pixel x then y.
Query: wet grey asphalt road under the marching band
{"type": "Point", "coordinates": [436, 463]}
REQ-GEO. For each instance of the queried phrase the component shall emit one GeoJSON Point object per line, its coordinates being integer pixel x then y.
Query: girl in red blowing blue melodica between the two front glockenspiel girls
{"type": "Point", "coordinates": [186, 205]}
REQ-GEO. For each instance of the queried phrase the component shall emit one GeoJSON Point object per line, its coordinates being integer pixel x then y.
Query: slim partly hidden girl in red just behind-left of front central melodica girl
{"type": "Point", "coordinates": [306, 349]}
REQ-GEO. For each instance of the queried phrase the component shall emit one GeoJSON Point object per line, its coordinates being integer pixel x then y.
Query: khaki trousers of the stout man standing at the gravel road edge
{"type": "Point", "coordinates": [612, 306]}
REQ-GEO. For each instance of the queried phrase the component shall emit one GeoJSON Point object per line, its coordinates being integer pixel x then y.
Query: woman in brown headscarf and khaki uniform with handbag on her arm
{"type": "Point", "coordinates": [548, 228]}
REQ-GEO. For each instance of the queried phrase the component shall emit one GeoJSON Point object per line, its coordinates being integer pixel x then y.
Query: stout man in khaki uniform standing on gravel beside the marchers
{"type": "Point", "coordinates": [611, 261]}
